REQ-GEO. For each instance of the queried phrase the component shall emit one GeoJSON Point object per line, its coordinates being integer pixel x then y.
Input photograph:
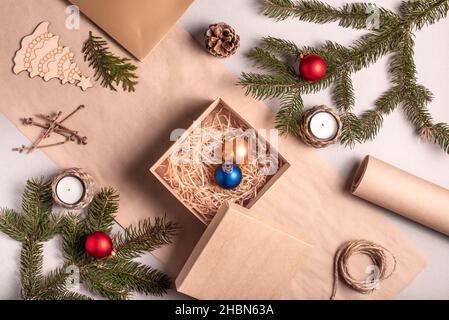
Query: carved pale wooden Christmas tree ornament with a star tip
{"type": "Point", "coordinates": [41, 55]}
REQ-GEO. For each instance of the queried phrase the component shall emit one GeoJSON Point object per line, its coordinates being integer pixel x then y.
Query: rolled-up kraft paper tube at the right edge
{"type": "Point", "coordinates": [402, 193]}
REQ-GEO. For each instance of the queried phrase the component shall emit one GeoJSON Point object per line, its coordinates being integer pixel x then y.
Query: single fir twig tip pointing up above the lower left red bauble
{"type": "Point", "coordinates": [102, 211]}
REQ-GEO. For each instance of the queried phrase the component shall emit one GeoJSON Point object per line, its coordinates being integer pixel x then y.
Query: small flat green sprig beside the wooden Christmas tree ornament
{"type": "Point", "coordinates": [112, 69]}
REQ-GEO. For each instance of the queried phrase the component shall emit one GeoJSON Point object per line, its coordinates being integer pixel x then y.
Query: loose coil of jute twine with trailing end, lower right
{"type": "Point", "coordinates": [378, 255]}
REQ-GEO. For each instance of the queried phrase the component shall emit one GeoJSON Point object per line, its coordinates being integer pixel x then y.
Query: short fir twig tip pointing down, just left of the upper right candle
{"type": "Point", "coordinates": [289, 116]}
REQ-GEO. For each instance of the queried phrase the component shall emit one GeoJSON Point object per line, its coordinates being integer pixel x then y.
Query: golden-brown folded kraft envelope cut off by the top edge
{"type": "Point", "coordinates": [138, 25]}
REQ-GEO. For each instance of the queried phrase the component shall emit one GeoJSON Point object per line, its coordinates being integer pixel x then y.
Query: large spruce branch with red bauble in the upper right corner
{"type": "Point", "coordinates": [393, 35]}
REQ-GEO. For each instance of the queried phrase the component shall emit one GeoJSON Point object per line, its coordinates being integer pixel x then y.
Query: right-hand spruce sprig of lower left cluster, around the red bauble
{"type": "Point", "coordinates": [118, 276]}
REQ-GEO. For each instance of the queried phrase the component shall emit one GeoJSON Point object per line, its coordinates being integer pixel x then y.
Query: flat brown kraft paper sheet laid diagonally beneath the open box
{"type": "Point", "coordinates": [129, 132]}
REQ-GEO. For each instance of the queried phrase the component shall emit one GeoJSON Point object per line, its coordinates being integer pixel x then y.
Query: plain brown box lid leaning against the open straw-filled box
{"type": "Point", "coordinates": [240, 256]}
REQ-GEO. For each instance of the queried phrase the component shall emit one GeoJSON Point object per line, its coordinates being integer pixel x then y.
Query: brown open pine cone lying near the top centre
{"type": "Point", "coordinates": [221, 40]}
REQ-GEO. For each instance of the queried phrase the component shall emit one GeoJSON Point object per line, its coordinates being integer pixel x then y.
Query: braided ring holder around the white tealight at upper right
{"type": "Point", "coordinates": [307, 136]}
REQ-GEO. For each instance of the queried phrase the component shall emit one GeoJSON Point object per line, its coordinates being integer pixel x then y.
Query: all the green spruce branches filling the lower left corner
{"type": "Point", "coordinates": [114, 278]}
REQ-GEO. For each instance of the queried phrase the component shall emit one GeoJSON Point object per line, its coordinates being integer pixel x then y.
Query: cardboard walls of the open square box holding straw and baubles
{"type": "Point", "coordinates": [160, 167]}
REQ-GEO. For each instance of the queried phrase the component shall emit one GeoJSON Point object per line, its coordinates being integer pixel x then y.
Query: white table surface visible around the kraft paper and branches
{"type": "Point", "coordinates": [396, 143]}
